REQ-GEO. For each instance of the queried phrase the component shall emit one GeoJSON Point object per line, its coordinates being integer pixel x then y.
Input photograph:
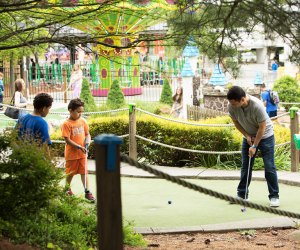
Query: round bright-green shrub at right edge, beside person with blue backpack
{"type": "Point", "coordinates": [288, 90]}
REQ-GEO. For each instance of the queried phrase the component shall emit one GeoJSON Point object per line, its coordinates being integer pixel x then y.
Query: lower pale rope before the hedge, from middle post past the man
{"type": "Point", "coordinates": [199, 151]}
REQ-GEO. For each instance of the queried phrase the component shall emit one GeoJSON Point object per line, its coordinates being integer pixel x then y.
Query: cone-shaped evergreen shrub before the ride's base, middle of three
{"type": "Point", "coordinates": [115, 98]}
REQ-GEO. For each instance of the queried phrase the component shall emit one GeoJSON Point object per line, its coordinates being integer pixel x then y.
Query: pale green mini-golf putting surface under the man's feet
{"type": "Point", "coordinates": [150, 202]}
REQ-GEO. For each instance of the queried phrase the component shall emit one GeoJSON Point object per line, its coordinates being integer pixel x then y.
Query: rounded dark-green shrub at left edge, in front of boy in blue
{"type": "Point", "coordinates": [28, 178]}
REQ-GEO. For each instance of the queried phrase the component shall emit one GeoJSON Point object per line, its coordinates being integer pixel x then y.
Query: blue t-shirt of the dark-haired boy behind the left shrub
{"type": "Point", "coordinates": [34, 128]}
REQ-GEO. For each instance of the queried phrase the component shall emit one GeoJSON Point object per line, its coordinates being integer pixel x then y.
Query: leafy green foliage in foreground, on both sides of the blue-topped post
{"type": "Point", "coordinates": [34, 208]}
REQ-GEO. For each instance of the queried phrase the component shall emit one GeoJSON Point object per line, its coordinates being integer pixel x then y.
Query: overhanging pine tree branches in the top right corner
{"type": "Point", "coordinates": [220, 26]}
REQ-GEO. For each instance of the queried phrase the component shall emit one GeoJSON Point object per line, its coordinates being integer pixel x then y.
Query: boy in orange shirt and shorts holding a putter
{"type": "Point", "coordinates": [75, 131]}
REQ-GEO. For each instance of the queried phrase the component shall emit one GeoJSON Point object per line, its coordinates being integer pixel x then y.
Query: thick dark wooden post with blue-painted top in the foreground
{"type": "Point", "coordinates": [109, 205]}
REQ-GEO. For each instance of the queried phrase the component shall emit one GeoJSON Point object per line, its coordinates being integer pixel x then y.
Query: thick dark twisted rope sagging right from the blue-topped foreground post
{"type": "Point", "coordinates": [182, 182]}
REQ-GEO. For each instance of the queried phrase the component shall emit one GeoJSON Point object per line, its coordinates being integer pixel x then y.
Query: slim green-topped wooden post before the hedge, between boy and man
{"type": "Point", "coordinates": [132, 132]}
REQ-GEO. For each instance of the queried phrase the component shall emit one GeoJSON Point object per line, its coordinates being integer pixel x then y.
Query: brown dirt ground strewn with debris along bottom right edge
{"type": "Point", "coordinates": [252, 239]}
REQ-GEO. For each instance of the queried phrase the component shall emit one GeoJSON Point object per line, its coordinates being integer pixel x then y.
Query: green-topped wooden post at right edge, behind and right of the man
{"type": "Point", "coordinates": [294, 130]}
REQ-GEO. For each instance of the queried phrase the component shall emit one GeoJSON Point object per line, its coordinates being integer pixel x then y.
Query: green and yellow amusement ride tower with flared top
{"type": "Point", "coordinates": [117, 28]}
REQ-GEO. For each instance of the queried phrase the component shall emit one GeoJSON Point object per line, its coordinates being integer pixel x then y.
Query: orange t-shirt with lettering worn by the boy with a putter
{"type": "Point", "coordinates": [77, 131]}
